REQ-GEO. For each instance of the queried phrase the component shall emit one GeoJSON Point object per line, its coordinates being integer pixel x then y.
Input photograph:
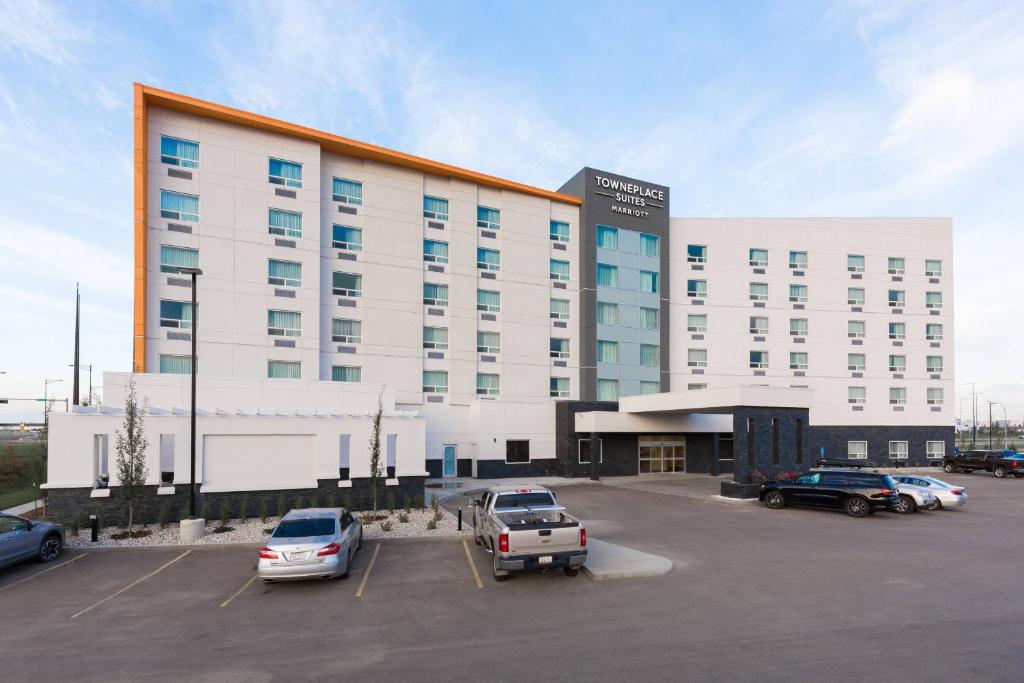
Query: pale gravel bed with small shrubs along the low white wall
{"type": "Point", "coordinates": [258, 532]}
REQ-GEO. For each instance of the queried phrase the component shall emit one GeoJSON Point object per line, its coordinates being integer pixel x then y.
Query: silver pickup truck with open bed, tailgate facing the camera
{"type": "Point", "coordinates": [525, 529]}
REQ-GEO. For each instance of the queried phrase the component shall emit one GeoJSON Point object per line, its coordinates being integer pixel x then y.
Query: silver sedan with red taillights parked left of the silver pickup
{"type": "Point", "coordinates": [316, 543]}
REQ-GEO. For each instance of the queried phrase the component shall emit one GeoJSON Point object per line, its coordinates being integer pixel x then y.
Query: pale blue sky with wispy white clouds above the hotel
{"type": "Point", "coordinates": [744, 109]}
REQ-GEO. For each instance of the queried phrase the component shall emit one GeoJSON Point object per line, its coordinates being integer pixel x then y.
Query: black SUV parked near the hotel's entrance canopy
{"type": "Point", "coordinates": [857, 492]}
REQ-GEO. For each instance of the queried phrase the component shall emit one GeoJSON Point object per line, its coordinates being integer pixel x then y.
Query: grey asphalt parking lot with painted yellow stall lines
{"type": "Point", "coordinates": [755, 594]}
